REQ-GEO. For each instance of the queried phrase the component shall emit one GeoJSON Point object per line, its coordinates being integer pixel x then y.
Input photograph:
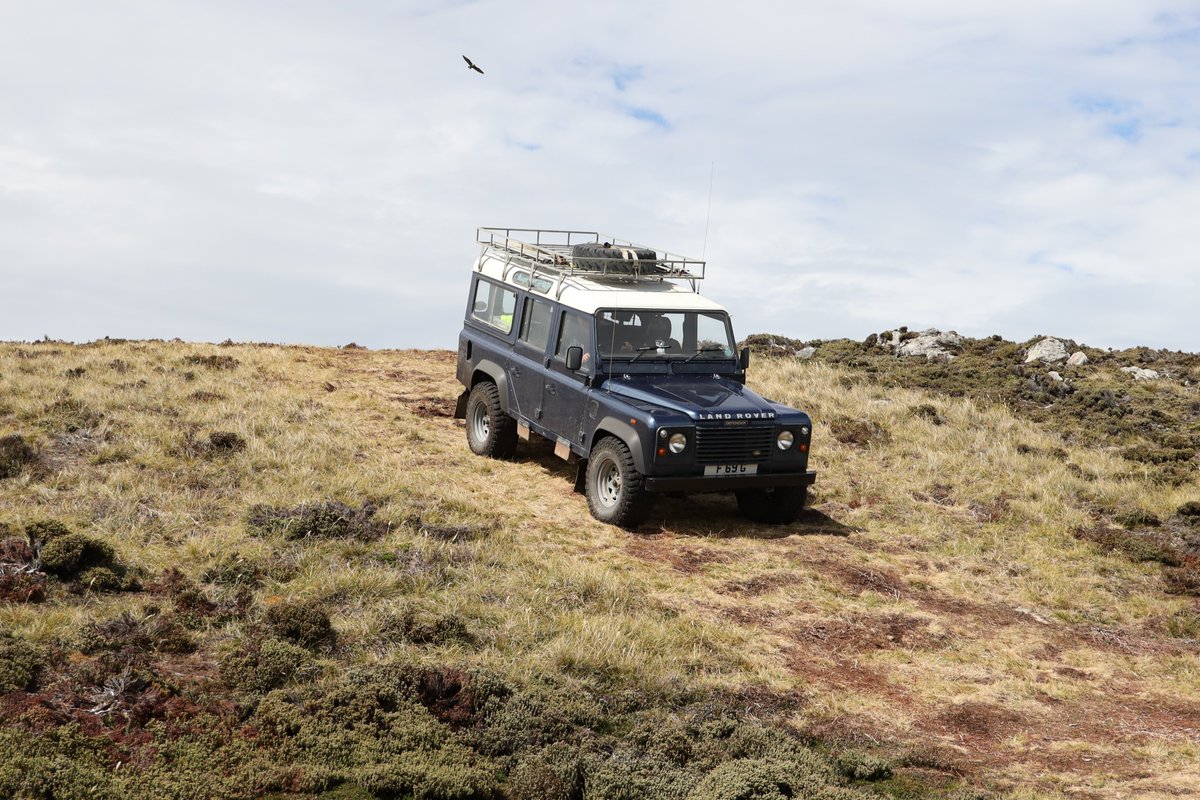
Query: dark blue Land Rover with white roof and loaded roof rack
{"type": "Point", "coordinates": [608, 350]}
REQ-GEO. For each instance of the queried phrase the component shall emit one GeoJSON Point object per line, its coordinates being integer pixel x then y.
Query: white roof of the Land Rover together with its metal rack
{"type": "Point", "coordinates": [548, 267]}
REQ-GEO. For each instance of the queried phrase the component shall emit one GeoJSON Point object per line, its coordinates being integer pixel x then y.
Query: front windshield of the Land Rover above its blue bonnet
{"type": "Point", "coordinates": [645, 335]}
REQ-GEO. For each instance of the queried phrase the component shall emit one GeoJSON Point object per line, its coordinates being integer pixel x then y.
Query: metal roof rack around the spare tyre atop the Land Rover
{"type": "Point", "coordinates": [550, 252]}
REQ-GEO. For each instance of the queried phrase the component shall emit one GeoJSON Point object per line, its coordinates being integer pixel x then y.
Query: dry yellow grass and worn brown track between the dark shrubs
{"type": "Point", "coordinates": [940, 600]}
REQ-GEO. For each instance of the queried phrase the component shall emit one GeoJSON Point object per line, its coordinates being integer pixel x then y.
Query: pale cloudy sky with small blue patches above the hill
{"type": "Point", "coordinates": [315, 172]}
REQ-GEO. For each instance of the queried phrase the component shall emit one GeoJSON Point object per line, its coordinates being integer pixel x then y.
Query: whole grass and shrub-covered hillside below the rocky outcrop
{"type": "Point", "coordinates": [247, 570]}
